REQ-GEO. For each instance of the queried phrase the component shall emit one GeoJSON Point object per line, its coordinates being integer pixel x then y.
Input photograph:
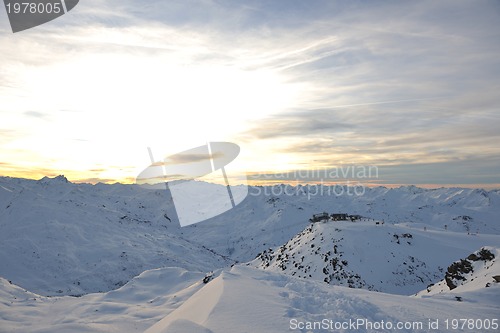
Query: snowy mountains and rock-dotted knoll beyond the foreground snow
{"type": "Point", "coordinates": [60, 238]}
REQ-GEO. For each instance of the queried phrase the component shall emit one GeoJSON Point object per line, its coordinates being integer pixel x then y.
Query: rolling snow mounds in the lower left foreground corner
{"type": "Point", "coordinates": [132, 308]}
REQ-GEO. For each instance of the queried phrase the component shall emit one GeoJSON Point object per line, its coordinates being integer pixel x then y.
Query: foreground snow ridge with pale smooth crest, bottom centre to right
{"type": "Point", "coordinates": [250, 300]}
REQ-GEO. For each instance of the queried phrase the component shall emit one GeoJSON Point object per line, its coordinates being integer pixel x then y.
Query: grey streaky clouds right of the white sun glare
{"type": "Point", "coordinates": [417, 89]}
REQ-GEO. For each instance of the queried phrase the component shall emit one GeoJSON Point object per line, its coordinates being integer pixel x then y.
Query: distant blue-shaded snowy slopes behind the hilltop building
{"type": "Point", "coordinates": [273, 217]}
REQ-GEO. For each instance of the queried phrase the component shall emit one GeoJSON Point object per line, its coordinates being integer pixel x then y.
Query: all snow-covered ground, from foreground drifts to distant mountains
{"type": "Point", "coordinates": [134, 269]}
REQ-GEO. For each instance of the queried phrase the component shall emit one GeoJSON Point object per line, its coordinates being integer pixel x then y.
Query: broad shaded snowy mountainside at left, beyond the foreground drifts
{"type": "Point", "coordinates": [62, 238]}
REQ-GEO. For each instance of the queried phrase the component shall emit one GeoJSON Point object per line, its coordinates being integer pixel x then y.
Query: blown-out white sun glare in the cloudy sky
{"type": "Point", "coordinates": [111, 107]}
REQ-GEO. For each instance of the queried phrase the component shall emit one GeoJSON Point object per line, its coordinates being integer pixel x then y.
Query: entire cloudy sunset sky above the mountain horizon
{"type": "Point", "coordinates": [410, 88]}
